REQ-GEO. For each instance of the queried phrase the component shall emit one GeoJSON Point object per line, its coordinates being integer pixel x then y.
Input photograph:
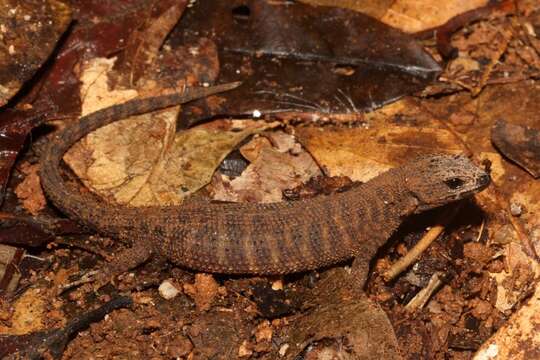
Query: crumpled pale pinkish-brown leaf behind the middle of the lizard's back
{"type": "Point", "coordinates": [273, 169]}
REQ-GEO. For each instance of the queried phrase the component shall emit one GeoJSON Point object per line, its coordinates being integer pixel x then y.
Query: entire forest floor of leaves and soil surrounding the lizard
{"type": "Point", "coordinates": [334, 92]}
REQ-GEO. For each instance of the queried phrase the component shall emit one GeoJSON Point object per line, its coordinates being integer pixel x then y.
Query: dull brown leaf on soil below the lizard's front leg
{"type": "Point", "coordinates": [343, 317]}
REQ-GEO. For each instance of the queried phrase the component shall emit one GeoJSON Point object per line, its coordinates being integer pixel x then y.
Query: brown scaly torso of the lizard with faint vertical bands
{"type": "Point", "coordinates": [279, 238]}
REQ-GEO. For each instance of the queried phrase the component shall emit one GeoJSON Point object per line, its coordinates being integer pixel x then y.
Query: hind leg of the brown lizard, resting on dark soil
{"type": "Point", "coordinates": [122, 262]}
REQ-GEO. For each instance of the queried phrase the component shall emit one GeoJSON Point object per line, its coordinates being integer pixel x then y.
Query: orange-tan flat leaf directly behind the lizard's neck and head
{"type": "Point", "coordinates": [390, 138]}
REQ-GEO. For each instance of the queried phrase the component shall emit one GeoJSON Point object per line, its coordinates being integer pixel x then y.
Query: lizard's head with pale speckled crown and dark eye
{"type": "Point", "coordinates": [440, 179]}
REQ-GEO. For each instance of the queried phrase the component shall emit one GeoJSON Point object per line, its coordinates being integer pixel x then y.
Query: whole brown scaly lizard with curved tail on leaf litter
{"type": "Point", "coordinates": [257, 238]}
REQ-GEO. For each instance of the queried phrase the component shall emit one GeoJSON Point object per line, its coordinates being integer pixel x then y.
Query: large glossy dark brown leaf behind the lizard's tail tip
{"type": "Point", "coordinates": [294, 57]}
